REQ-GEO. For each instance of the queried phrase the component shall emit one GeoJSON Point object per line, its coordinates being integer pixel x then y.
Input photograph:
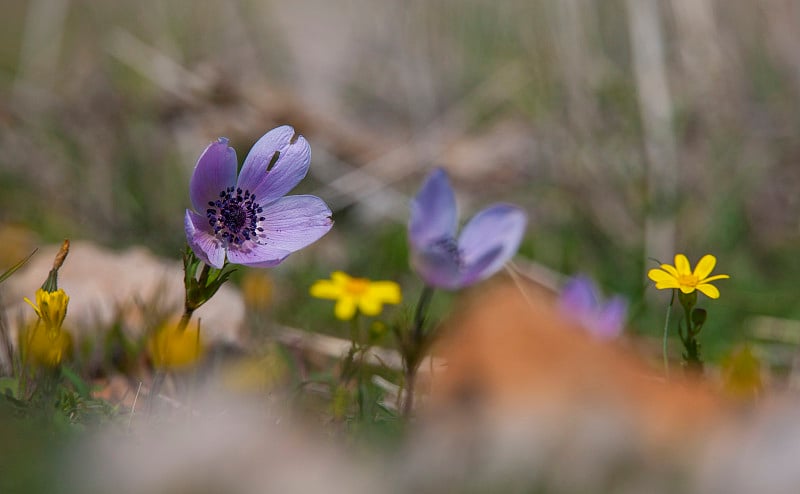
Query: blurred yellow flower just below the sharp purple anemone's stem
{"type": "Point", "coordinates": [172, 348]}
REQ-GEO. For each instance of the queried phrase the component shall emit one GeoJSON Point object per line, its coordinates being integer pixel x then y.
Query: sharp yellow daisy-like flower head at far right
{"type": "Point", "coordinates": [682, 277]}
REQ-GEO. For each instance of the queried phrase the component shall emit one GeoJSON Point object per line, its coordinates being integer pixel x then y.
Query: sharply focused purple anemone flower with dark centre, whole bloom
{"type": "Point", "coordinates": [249, 219]}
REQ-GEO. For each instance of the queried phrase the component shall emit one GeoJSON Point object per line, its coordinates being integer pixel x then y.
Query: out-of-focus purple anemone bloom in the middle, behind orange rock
{"type": "Point", "coordinates": [444, 260]}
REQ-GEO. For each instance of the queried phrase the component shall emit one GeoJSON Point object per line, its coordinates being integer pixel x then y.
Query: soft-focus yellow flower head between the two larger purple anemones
{"type": "Point", "coordinates": [353, 294]}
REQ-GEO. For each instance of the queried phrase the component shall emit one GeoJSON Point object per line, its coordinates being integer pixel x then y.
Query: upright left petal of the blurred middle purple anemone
{"type": "Point", "coordinates": [433, 211]}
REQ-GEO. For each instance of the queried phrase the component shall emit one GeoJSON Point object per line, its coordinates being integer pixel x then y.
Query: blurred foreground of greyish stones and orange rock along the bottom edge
{"type": "Point", "coordinates": [527, 402]}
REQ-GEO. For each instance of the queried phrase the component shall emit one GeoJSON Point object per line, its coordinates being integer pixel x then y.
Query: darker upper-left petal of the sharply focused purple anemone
{"type": "Point", "coordinates": [214, 172]}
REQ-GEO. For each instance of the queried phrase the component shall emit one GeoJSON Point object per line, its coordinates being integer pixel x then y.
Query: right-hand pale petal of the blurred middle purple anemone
{"type": "Point", "coordinates": [497, 227]}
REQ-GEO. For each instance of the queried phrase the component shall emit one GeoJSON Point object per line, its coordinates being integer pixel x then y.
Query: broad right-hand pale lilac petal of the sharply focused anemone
{"type": "Point", "coordinates": [293, 222]}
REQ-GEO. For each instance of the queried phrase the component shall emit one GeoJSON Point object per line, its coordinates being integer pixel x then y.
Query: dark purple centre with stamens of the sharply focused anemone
{"type": "Point", "coordinates": [234, 217]}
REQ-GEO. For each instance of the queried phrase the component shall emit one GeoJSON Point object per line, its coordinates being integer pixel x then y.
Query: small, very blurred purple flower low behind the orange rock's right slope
{"type": "Point", "coordinates": [580, 301]}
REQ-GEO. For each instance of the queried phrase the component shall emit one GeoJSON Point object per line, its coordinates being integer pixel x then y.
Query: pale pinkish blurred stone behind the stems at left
{"type": "Point", "coordinates": [103, 284]}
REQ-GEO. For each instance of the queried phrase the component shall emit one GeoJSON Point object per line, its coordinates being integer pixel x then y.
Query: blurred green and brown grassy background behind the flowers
{"type": "Point", "coordinates": [628, 131]}
